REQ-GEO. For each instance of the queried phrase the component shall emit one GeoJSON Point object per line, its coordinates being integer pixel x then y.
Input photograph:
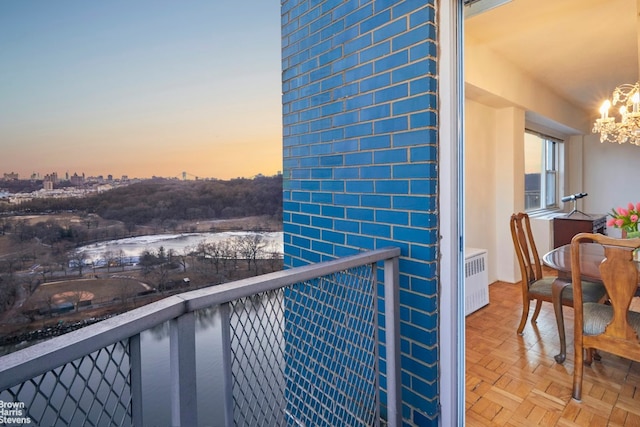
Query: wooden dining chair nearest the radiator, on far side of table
{"type": "Point", "coordinates": [540, 288]}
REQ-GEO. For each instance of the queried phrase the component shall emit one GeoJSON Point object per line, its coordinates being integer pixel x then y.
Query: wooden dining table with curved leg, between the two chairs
{"type": "Point", "coordinates": [591, 256]}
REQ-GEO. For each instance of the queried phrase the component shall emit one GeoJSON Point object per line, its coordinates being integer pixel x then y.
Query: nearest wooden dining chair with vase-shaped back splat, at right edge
{"type": "Point", "coordinates": [609, 327]}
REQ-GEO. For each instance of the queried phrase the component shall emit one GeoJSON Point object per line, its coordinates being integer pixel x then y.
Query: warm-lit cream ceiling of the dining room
{"type": "Point", "coordinates": [580, 49]}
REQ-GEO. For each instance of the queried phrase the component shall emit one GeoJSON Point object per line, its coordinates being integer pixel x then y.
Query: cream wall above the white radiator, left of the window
{"type": "Point", "coordinates": [494, 176]}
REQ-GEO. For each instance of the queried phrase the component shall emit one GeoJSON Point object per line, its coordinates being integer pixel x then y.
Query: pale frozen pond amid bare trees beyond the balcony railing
{"type": "Point", "coordinates": [133, 247]}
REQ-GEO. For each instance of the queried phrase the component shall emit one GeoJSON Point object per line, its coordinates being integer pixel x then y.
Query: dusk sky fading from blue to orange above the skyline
{"type": "Point", "coordinates": [140, 87]}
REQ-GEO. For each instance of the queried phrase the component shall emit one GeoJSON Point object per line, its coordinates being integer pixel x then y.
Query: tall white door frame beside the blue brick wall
{"type": "Point", "coordinates": [451, 199]}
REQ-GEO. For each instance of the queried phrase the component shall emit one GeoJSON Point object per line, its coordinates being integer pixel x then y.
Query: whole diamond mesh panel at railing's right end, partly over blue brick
{"type": "Point", "coordinates": [307, 355]}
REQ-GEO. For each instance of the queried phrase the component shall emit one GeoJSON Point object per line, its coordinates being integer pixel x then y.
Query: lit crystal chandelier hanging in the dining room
{"type": "Point", "coordinates": [628, 128]}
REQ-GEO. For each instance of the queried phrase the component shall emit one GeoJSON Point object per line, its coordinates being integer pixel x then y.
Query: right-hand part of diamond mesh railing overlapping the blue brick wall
{"type": "Point", "coordinates": [331, 351]}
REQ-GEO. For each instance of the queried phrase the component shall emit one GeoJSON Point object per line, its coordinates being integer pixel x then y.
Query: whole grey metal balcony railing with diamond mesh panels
{"type": "Point", "coordinates": [298, 347]}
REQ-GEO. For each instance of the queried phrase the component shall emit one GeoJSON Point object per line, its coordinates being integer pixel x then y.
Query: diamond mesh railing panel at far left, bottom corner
{"type": "Point", "coordinates": [91, 391]}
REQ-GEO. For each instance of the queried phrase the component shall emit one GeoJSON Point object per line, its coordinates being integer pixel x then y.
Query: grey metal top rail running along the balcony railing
{"type": "Point", "coordinates": [29, 362]}
